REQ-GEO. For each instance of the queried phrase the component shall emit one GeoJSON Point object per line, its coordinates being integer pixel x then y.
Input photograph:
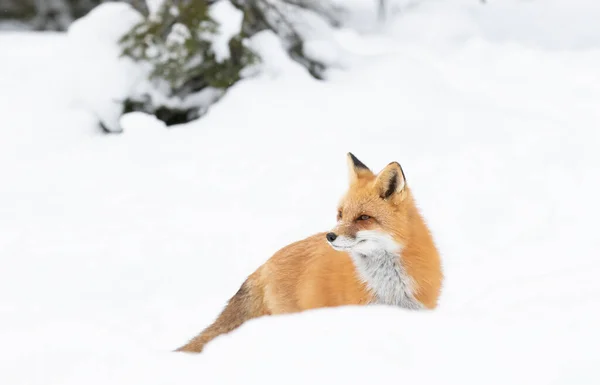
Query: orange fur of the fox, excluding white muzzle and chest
{"type": "Point", "coordinates": [310, 274]}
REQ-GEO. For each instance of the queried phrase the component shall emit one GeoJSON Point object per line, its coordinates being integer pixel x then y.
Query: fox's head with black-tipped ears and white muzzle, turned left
{"type": "Point", "coordinates": [372, 216]}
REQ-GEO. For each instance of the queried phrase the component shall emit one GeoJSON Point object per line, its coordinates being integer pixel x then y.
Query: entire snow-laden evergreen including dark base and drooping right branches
{"type": "Point", "coordinates": [177, 46]}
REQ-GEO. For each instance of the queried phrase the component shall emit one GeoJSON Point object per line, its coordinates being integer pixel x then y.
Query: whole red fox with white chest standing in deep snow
{"type": "Point", "coordinates": [380, 252]}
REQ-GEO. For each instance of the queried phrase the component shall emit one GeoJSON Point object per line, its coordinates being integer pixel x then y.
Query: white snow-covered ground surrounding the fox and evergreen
{"type": "Point", "coordinates": [114, 250]}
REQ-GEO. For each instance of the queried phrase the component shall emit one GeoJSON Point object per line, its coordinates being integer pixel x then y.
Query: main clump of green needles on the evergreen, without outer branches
{"type": "Point", "coordinates": [177, 44]}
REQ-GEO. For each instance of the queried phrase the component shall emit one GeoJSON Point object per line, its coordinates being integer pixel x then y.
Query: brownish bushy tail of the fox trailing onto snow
{"type": "Point", "coordinates": [246, 304]}
